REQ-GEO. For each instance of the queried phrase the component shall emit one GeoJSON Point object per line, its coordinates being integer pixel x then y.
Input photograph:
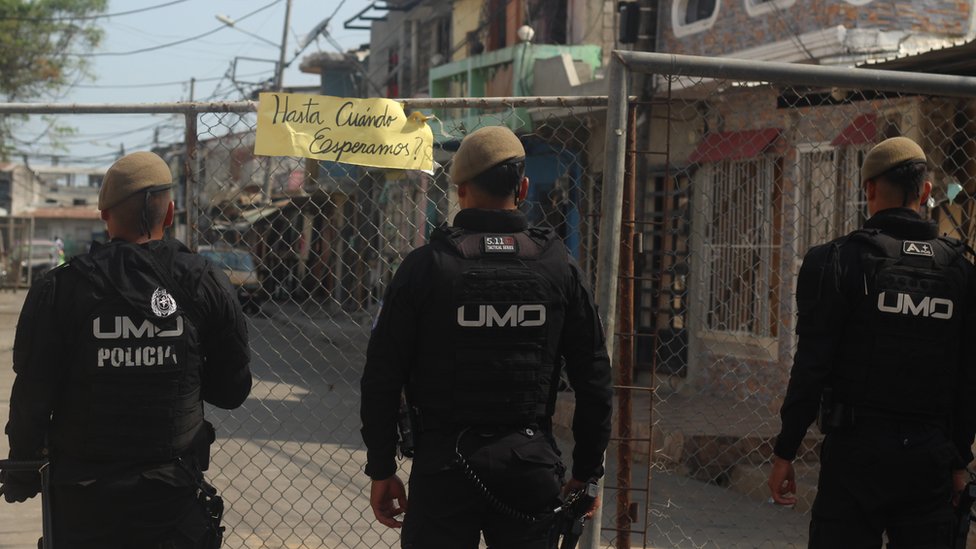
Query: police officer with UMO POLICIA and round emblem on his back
{"type": "Point", "coordinates": [115, 354]}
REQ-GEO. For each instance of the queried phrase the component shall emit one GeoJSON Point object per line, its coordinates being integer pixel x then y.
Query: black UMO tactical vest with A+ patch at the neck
{"type": "Point", "coordinates": [901, 350]}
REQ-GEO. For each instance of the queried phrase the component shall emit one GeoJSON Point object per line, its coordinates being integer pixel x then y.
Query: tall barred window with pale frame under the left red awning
{"type": "Point", "coordinates": [741, 246]}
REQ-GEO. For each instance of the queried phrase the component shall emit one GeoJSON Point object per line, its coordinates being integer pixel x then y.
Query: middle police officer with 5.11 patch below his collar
{"type": "Point", "coordinates": [477, 326]}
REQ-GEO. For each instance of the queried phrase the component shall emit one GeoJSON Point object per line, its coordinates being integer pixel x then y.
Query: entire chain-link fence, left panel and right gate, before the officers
{"type": "Point", "coordinates": [723, 180]}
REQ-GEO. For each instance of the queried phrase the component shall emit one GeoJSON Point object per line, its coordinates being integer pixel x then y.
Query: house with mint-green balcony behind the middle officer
{"type": "Point", "coordinates": [512, 48]}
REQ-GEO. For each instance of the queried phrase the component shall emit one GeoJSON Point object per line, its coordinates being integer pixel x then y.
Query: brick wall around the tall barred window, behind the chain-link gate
{"type": "Point", "coordinates": [743, 375]}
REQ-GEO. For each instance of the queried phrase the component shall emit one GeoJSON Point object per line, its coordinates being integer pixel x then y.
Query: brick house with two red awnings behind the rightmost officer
{"type": "Point", "coordinates": [757, 173]}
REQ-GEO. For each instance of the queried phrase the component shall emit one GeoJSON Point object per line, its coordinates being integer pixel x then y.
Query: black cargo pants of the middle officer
{"type": "Point", "coordinates": [446, 509]}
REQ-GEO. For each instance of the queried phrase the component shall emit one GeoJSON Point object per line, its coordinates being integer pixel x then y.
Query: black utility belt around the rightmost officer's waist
{"type": "Point", "coordinates": [835, 416]}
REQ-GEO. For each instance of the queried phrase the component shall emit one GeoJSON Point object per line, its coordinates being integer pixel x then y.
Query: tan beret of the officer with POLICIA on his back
{"type": "Point", "coordinates": [139, 171]}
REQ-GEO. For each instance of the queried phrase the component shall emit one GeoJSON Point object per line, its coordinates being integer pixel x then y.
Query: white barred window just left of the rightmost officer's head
{"type": "Point", "coordinates": [829, 200]}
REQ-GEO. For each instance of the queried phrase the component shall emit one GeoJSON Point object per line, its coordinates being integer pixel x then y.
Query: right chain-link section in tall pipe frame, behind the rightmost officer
{"type": "Point", "coordinates": [731, 172]}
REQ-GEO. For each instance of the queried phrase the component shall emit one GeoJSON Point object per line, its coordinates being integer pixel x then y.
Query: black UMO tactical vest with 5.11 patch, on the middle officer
{"type": "Point", "coordinates": [504, 320]}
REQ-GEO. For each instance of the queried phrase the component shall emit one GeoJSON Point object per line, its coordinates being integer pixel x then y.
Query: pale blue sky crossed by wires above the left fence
{"type": "Point", "coordinates": [163, 74]}
